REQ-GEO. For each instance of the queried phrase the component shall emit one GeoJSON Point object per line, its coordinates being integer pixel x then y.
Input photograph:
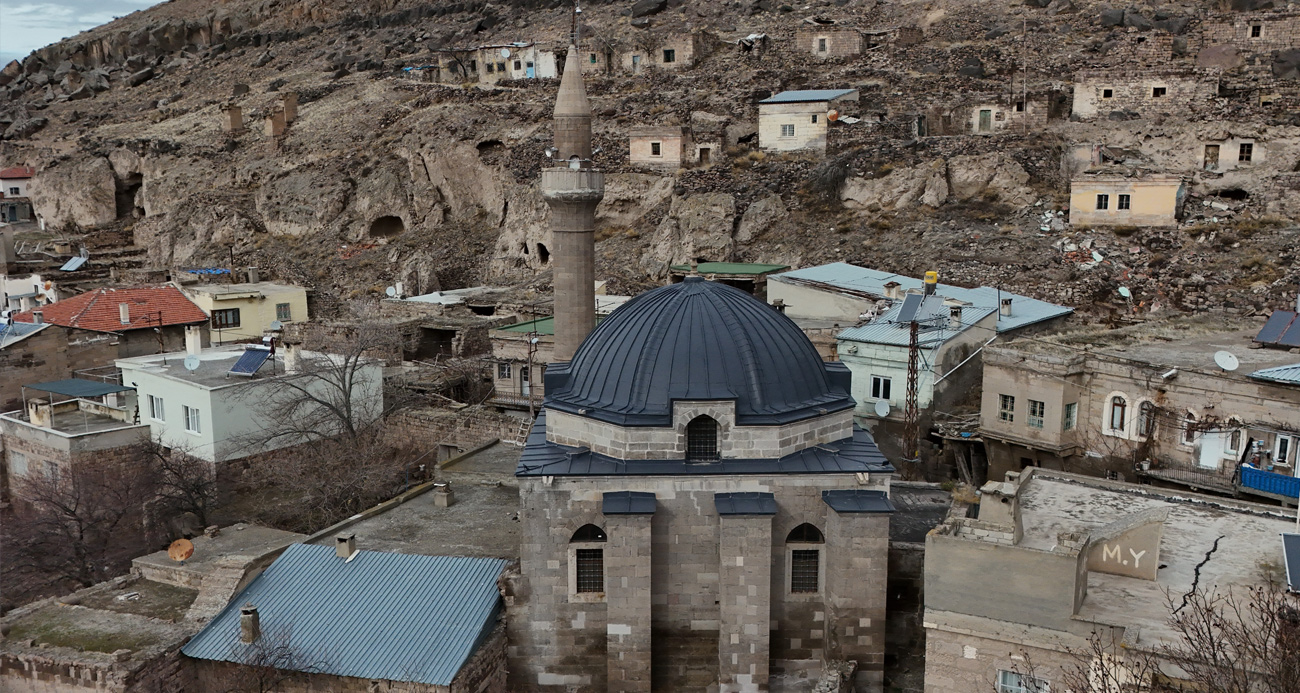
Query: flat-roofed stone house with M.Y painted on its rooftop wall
{"type": "Point", "coordinates": [1019, 583]}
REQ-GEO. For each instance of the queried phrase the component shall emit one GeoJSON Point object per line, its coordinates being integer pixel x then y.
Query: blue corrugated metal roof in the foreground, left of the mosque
{"type": "Point", "coordinates": [383, 617]}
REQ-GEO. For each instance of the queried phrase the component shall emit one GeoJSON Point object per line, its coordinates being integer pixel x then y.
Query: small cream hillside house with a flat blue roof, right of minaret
{"type": "Point", "coordinates": [799, 120]}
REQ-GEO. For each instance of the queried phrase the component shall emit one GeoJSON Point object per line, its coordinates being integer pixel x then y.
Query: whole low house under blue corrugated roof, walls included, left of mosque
{"type": "Point", "coordinates": [430, 623]}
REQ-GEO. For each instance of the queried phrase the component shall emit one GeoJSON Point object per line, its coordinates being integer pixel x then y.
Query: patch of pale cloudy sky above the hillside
{"type": "Point", "coordinates": [27, 25]}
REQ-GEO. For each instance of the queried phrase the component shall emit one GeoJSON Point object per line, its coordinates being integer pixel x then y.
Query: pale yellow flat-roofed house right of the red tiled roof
{"type": "Point", "coordinates": [244, 311]}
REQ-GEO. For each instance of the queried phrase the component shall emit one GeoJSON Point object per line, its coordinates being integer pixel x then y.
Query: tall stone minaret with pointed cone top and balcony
{"type": "Point", "coordinates": [573, 188]}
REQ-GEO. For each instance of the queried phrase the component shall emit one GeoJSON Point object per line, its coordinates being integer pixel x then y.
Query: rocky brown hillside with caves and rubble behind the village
{"type": "Point", "coordinates": [385, 176]}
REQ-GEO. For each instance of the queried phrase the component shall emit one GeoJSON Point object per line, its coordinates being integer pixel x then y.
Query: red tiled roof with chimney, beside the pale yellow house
{"type": "Point", "coordinates": [99, 310]}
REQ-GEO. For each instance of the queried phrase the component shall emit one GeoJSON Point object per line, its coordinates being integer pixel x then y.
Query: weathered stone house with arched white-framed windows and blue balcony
{"type": "Point", "coordinates": [1165, 404]}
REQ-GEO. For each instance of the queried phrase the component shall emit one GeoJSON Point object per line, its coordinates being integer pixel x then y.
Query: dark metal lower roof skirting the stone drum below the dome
{"type": "Point", "coordinates": [851, 456]}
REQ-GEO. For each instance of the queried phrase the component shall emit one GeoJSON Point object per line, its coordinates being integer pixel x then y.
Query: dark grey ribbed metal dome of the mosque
{"type": "Point", "coordinates": [697, 341]}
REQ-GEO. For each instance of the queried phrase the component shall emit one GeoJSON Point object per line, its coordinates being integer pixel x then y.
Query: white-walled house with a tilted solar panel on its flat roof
{"type": "Point", "coordinates": [215, 414]}
